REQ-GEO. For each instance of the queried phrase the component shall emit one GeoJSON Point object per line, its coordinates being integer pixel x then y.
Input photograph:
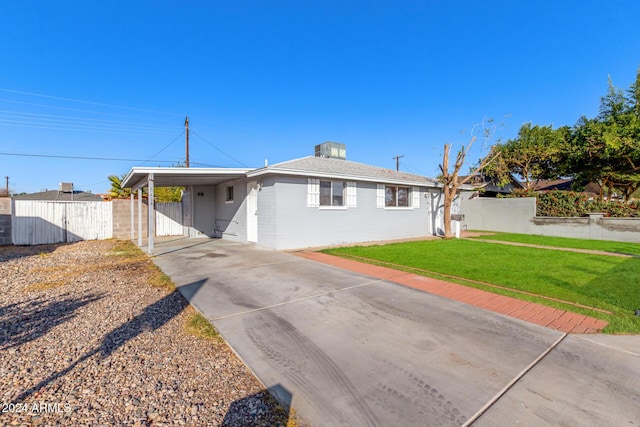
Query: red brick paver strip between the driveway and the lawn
{"type": "Point", "coordinates": [561, 320]}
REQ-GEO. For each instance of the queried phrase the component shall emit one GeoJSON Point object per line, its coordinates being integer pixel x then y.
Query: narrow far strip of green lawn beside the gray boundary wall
{"type": "Point", "coordinates": [563, 242]}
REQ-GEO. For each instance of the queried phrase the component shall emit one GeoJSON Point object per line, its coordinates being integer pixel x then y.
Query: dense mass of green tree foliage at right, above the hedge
{"type": "Point", "coordinates": [604, 149]}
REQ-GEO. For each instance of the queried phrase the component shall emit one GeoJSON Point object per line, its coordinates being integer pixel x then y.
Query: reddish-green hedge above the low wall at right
{"type": "Point", "coordinates": [557, 203]}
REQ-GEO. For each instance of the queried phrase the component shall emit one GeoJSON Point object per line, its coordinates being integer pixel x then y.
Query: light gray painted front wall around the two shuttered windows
{"type": "Point", "coordinates": [299, 226]}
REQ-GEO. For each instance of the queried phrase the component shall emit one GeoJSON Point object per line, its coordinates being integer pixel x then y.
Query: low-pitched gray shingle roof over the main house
{"type": "Point", "coordinates": [348, 169]}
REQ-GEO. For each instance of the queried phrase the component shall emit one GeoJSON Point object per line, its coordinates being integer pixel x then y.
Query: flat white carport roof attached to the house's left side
{"type": "Point", "coordinates": [171, 177]}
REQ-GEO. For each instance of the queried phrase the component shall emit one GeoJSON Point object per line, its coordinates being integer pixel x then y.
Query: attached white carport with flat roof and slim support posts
{"type": "Point", "coordinates": [151, 177]}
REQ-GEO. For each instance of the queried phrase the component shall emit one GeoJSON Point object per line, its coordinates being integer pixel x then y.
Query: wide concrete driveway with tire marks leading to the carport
{"type": "Point", "coordinates": [351, 350]}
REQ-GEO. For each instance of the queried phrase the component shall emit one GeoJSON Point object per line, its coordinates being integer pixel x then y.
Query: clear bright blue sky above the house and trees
{"type": "Point", "coordinates": [271, 79]}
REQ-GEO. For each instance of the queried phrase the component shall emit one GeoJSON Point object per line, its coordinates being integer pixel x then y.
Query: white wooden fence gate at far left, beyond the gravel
{"type": "Point", "coordinates": [39, 222]}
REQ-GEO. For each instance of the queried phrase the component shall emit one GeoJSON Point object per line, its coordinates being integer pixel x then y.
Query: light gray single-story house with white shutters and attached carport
{"type": "Point", "coordinates": [307, 202]}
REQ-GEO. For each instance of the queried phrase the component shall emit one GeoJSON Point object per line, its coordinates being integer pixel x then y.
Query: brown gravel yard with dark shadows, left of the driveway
{"type": "Point", "coordinates": [86, 340]}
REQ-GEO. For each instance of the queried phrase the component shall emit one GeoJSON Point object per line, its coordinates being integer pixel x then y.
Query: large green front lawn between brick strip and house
{"type": "Point", "coordinates": [604, 282]}
